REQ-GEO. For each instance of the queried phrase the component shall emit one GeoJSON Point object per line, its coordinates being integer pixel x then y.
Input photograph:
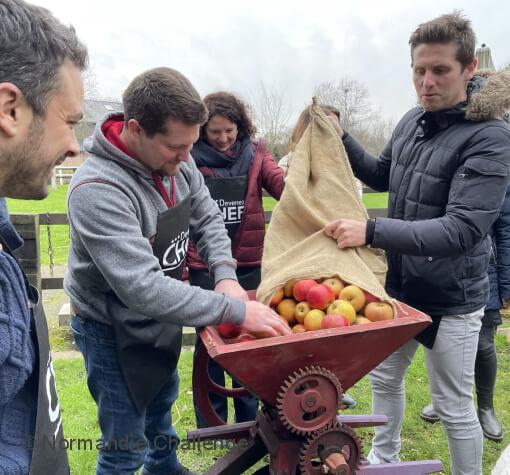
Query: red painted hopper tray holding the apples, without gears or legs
{"type": "Point", "coordinates": [349, 352]}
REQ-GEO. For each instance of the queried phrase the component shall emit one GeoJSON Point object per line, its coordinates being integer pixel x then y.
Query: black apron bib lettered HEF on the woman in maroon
{"type": "Point", "coordinates": [229, 194]}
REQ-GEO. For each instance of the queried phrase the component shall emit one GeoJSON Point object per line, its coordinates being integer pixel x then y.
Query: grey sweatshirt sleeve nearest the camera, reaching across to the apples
{"type": "Point", "coordinates": [105, 224]}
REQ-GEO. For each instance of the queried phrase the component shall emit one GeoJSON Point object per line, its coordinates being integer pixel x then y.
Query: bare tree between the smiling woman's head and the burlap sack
{"type": "Point", "coordinates": [271, 115]}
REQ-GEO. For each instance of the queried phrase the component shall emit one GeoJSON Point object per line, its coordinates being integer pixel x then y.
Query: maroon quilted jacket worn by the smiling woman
{"type": "Point", "coordinates": [248, 243]}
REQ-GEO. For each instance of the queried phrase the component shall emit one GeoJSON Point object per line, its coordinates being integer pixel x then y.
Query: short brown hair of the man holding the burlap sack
{"type": "Point", "coordinates": [450, 28]}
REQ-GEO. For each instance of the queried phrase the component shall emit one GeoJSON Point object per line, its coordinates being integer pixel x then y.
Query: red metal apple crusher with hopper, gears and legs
{"type": "Point", "coordinates": [300, 380]}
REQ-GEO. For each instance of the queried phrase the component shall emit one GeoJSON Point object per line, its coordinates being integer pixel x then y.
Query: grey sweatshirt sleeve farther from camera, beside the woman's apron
{"type": "Point", "coordinates": [208, 228]}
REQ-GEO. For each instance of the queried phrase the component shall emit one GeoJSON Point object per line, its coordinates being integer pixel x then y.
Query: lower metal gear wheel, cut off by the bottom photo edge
{"type": "Point", "coordinates": [334, 449]}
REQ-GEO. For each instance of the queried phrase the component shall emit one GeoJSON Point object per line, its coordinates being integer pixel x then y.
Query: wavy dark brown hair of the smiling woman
{"type": "Point", "coordinates": [232, 108]}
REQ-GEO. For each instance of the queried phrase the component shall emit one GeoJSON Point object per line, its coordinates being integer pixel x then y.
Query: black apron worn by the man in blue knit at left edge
{"type": "Point", "coordinates": [49, 455]}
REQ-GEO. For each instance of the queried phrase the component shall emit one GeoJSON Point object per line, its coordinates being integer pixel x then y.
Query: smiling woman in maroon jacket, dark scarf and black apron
{"type": "Point", "coordinates": [235, 168]}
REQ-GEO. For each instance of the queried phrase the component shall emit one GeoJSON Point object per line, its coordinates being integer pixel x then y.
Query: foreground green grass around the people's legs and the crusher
{"type": "Point", "coordinates": [420, 441]}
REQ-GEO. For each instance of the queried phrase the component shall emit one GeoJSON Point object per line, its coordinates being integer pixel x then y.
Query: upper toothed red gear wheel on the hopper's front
{"type": "Point", "coordinates": [309, 399]}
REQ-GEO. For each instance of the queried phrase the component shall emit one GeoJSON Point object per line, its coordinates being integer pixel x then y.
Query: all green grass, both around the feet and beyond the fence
{"type": "Point", "coordinates": [420, 440]}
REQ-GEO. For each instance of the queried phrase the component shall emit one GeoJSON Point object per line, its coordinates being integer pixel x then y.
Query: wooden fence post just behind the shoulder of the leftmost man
{"type": "Point", "coordinates": [29, 255]}
